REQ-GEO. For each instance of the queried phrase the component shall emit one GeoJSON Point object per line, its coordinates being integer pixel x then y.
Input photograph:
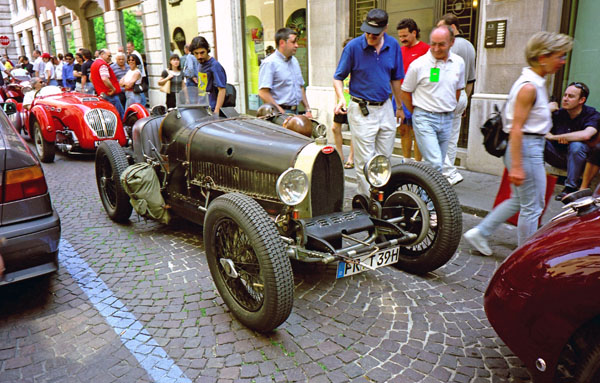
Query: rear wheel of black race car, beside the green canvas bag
{"type": "Point", "coordinates": [111, 161]}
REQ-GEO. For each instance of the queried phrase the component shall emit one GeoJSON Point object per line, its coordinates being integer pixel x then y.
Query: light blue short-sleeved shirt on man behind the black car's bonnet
{"type": "Point", "coordinates": [283, 77]}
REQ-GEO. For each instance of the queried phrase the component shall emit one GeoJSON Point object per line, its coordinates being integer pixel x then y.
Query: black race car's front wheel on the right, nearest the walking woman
{"type": "Point", "coordinates": [442, 219]}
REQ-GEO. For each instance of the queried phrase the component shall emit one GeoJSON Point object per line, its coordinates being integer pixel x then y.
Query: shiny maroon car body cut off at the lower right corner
{"type": "Point", "coordinates": [543, 300]}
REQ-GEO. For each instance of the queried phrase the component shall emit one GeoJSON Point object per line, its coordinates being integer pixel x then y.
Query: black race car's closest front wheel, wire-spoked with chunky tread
{"type": "Point", "coordinates": [248, 263]}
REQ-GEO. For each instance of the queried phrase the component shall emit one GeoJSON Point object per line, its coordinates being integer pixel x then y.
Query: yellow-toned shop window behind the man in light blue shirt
{"type": "Point", "coordinates": [261, 20]}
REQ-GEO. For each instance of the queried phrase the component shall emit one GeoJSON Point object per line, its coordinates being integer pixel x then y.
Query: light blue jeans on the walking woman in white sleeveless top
{"type": "Point", "coordinates": [528, 197]}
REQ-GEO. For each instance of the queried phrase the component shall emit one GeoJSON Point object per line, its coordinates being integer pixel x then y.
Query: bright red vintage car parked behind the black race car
{"type": "Point", "coordinates": [73, 122]}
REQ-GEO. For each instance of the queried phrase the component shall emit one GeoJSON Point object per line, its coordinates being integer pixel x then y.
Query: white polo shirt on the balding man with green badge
{"type": "Point", "coordinates": [437, 96]}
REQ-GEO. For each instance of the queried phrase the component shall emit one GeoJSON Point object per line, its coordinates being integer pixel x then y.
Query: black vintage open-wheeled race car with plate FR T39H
{"type": "Point", "coordinates": [265, 194]}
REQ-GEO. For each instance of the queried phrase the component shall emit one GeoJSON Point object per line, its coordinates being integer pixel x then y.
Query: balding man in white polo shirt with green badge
{"type": "Point", "coordinates": [430, 91]}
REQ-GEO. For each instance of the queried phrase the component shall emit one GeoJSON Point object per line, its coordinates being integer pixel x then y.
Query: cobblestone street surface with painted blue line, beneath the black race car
{"type": "Point", "coordinates": [378, 326]}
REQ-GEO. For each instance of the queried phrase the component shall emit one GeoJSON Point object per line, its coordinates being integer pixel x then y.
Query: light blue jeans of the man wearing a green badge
{"type": "Point", "coordinates": [432, 132]}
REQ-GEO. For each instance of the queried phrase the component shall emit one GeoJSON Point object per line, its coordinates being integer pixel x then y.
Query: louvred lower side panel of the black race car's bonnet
{"type": "Point", "coordinates": [228, 178]}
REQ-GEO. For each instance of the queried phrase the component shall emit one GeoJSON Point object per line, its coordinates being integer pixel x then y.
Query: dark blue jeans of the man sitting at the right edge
{"type": "Point", "coordinates": [571, 157]}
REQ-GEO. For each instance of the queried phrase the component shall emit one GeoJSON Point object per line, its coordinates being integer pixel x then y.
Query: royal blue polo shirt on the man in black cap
{"type": "Point", "coordinates": [371, 71]}
